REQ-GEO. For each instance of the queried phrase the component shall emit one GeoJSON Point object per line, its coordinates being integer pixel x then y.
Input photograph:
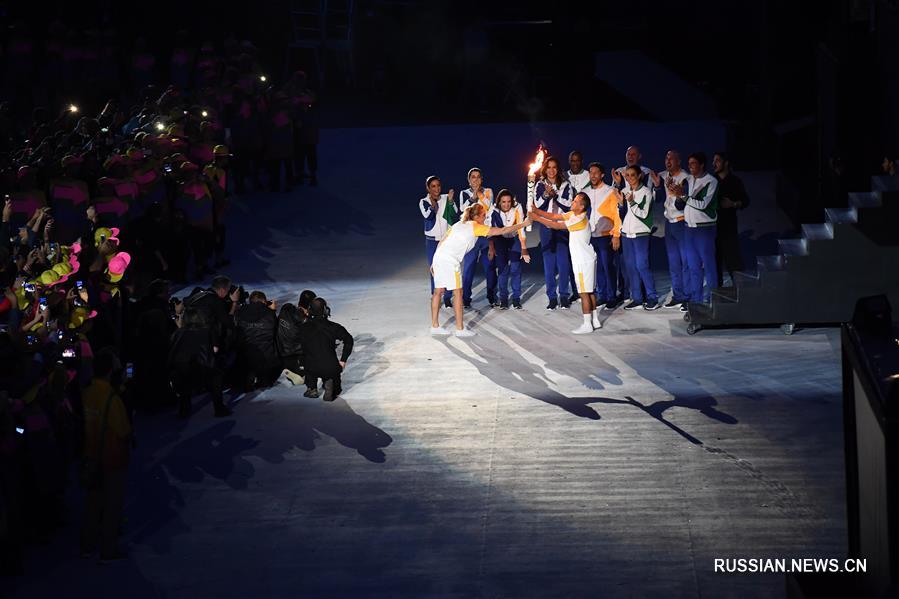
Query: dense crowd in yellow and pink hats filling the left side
{"type": "Point", "coordinates": [104, 209]}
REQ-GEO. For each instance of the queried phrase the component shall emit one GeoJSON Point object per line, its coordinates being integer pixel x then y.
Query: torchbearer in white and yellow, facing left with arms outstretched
{"type": "Point", "coordinates": [583, 257]}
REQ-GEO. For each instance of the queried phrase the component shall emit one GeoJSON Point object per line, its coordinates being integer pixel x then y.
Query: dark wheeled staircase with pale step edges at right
{"type": "Point", "coordinates": [818, 277]}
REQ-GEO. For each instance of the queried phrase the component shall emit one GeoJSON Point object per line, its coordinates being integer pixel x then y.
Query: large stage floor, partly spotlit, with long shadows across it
{"type": "Point", "coordinates": [525, 462]}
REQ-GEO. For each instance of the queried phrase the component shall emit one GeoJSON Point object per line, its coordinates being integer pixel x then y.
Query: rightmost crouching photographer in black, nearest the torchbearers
{"type": "Point", "coordinates": [318, 337]}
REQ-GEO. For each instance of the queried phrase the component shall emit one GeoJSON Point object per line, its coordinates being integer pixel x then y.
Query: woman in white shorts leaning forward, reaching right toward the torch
{"type": "Point", "coordinates": [447, 264]}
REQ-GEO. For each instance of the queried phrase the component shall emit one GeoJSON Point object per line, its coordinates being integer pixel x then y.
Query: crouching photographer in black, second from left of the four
{"type": "Point", "coordinates": [258, 323]}
